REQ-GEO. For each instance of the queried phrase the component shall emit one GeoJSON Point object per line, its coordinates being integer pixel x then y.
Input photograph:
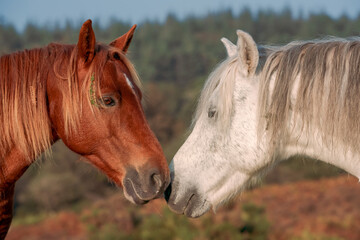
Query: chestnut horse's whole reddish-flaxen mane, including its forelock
{"type": "Point", "coordinates": [23, 98]}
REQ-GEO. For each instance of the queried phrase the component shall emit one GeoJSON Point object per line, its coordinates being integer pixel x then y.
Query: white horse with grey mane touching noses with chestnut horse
{"type": "Point", "coordinates": [305, 101]}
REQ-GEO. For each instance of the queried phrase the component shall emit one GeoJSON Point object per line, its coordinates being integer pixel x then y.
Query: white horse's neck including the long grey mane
{"type": "Point", "coordinates": [315, 115]}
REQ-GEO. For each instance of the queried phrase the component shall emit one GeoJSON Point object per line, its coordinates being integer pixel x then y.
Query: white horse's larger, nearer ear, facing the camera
{"type": "Point", "coordinates": [248, 52]}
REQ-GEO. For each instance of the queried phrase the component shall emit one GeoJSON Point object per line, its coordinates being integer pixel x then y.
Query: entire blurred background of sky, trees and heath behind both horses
{"type": "Point", "coordinates": [176, 46]}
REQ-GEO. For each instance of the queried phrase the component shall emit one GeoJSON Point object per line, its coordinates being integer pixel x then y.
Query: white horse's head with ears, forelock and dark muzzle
{"type": "Point", "coordinates": [207, 170]}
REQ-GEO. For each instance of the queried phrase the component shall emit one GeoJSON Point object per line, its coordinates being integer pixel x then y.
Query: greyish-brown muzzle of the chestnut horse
{"type": "Point", "coordinates": [144, 184]}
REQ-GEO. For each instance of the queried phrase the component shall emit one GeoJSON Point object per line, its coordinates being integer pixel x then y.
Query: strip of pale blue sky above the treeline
{"type": "Point", "coordinates": [49, 12]}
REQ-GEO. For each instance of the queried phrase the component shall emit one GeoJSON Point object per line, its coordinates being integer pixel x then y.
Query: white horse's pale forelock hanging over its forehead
{"type": "Point", "coordinates": [216, 93]}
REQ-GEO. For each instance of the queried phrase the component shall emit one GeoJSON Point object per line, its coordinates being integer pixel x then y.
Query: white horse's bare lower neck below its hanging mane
{"type": "Point", "coordinates": [307, 143]}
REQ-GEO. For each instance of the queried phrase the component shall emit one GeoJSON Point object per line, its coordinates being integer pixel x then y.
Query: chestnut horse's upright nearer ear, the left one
{"type": "Point", "coordinates": [86, 43]}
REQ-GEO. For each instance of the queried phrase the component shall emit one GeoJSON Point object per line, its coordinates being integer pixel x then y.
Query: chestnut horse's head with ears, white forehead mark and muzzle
{"type": "Point", "coordinates": [96, 110]}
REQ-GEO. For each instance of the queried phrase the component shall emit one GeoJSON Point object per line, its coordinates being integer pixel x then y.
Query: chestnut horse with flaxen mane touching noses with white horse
{"type": "Point", "coordinates": [87, 95]}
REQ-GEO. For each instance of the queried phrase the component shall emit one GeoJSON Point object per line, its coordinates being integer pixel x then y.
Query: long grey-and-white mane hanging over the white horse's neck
{"type": "Point", "coordinates": [313, 84]}
